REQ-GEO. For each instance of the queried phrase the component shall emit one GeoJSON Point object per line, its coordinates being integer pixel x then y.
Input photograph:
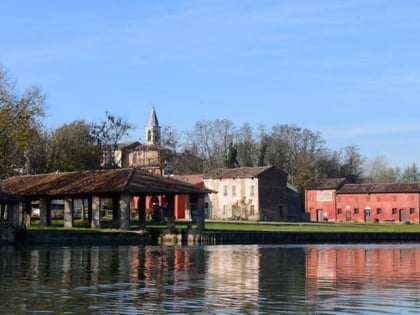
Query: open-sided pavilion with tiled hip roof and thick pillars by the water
{"type": "Point", "coordinates": [120, 185]}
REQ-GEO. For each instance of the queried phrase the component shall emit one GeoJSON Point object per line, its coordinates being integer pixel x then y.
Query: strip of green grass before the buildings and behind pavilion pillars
{"type": "Point", "coordinates": [106, 225]}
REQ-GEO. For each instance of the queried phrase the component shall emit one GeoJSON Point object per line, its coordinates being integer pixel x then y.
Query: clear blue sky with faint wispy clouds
{"type": "Point", "coordinates": [348, 69]}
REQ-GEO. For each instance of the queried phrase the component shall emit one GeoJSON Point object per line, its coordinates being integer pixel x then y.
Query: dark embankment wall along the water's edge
{"type": "Point", "coordinates": [205, 237]}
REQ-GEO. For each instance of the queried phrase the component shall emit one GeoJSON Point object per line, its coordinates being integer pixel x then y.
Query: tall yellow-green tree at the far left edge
{"type": "Point", "coordinates": [20, 125]}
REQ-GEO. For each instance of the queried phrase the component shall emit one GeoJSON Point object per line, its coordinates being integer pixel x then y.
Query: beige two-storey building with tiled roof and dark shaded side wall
{"type": "Point", "coordinates": [247, 193]}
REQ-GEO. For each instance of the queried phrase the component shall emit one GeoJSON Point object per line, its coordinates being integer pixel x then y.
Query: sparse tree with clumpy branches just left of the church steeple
{"type": "Point", "coordinates": [107, 134]}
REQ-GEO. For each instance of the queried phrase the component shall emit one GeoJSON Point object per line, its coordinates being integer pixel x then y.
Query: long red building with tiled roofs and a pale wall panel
{"type": "Point", "coordinates": [335, 200]}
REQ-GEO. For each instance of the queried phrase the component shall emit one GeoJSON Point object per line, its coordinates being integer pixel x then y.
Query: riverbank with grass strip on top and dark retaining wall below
{"type": "Point", "coordinates": [226, 233]}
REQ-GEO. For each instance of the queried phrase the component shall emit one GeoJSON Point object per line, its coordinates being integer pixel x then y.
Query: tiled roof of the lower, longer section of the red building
{"type": "Point", "coordinates": [380, 188]}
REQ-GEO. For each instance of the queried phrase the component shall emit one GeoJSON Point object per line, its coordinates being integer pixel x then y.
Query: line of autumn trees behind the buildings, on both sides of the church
{"type": "Point", "coordinates": [27, 147]}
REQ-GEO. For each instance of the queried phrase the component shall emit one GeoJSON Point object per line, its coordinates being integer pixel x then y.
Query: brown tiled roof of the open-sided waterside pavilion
{"type": "Point", "coordinates": [128, 180]}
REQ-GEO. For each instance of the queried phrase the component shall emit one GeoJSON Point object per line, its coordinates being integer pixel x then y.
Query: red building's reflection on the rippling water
{"type": "Point", "coordinates": [342, 266]}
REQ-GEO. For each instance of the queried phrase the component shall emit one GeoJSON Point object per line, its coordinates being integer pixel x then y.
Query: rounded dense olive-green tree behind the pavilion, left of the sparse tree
{"type": "Point", "coordinates": [73, 148]}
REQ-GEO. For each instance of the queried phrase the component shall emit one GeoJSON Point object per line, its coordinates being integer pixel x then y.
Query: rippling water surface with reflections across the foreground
{"type": "Point", "coordinates": [235, 279]}
